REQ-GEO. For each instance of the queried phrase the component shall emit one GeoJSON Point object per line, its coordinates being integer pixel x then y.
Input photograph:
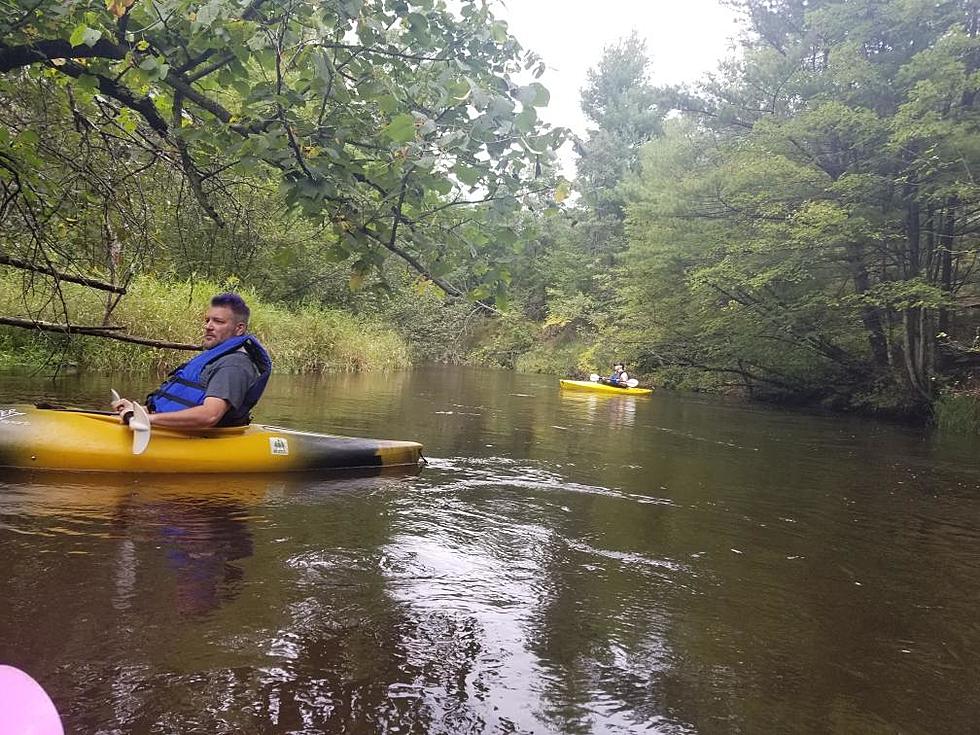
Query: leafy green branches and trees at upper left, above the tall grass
{"type": "Point", "coordinates": [299, 145]}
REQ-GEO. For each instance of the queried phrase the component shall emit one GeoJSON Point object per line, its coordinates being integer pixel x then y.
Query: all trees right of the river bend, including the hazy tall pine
{"type": "Point", "coordinates": [801, 228]}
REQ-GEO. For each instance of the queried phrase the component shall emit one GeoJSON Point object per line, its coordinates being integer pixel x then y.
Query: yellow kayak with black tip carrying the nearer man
{"type": "Point", "coordinates": [69, 439]}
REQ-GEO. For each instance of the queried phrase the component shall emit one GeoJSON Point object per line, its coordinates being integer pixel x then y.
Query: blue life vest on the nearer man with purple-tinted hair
{"type": "Point", "coordinates": [183, 387]}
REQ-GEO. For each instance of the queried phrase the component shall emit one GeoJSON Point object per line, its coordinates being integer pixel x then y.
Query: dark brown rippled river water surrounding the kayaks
{"type": "Point", "coordinates": [566, 563]}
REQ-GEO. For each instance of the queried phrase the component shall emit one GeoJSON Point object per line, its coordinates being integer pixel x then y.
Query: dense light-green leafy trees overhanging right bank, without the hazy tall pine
{"type": "Point", "coordinates": [809, 233]}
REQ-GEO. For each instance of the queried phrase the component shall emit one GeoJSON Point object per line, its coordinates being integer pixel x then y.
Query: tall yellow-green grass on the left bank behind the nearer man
{"type": "Point", "coordinates": [305, 339]}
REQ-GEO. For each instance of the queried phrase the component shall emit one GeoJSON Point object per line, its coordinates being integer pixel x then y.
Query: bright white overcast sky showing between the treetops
{"type": "Point", "coordinates": [685, 39]}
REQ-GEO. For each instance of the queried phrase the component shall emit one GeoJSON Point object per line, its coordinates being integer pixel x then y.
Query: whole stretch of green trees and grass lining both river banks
{"type": "Point", "coordinates": [800, 226]}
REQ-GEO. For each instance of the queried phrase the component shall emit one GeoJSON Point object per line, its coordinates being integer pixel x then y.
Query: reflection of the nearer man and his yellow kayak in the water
{"type": "Point", "coordinates": [192, 528]}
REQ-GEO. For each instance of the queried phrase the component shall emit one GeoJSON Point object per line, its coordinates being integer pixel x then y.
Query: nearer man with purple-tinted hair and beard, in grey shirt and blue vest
{"type": "Point", "coordinates": [218, 387]}
